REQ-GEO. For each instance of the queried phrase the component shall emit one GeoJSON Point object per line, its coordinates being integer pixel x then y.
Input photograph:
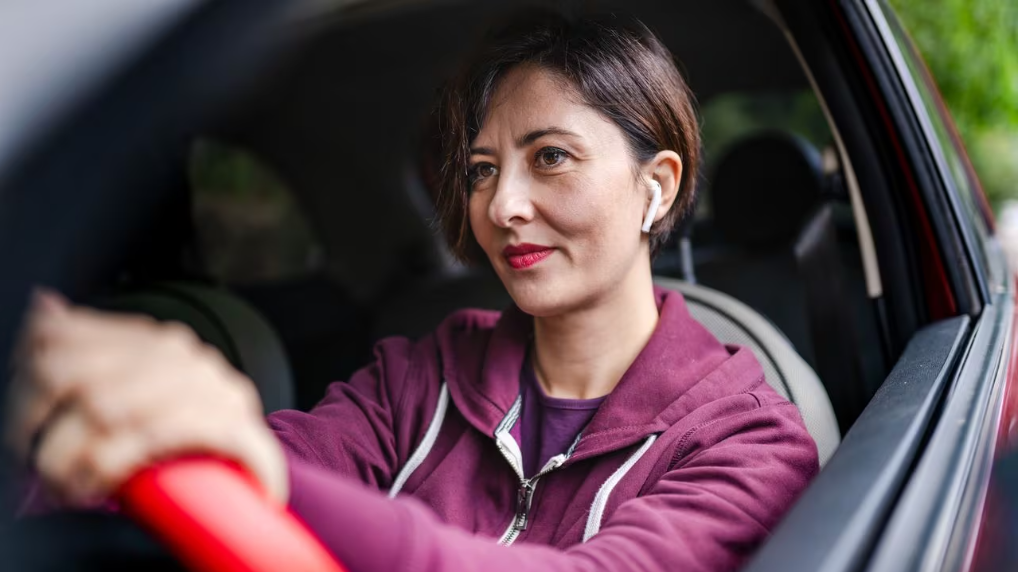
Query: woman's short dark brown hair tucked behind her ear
{"type": "Point", "coordinates": [619, 68]}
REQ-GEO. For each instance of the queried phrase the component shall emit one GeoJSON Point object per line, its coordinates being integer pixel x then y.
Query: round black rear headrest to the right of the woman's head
{"type": "Point", "coordinates": [764, 188]}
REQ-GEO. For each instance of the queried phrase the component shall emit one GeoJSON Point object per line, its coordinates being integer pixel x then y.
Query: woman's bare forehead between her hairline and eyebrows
{"type": "Point", "coordinates": [530, 98]}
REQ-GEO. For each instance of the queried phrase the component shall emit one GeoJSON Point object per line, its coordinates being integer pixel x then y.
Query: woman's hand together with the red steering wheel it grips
{"type": "Point", "coordinates": [101, 402]}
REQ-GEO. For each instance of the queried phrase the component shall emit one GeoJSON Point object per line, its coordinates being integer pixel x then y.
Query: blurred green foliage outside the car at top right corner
{"type": "Point", "coordinates": [971, 47]}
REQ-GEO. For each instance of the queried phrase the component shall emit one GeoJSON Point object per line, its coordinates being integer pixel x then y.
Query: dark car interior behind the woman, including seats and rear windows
{"type": "Point", "coordinates": [301, 230]}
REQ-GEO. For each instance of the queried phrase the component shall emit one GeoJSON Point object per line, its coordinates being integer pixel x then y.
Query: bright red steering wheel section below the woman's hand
{"type": "Point", "coordinates": [214, 516]}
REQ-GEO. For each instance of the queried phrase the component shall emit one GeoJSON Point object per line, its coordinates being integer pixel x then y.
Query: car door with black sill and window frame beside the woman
{"type": "Point", "coordinates": [907, 489]}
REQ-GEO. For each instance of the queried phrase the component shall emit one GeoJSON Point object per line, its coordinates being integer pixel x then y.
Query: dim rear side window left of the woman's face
{"type": "Point", "coordinates": [248, 227]}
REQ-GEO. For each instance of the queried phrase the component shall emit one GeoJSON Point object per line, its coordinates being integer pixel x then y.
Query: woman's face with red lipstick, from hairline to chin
{"type": "Point", "coordinates": [555, 202]}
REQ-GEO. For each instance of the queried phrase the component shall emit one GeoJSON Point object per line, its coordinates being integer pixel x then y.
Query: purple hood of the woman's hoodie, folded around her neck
{"type": "Point", "coordinates": [682, 368]}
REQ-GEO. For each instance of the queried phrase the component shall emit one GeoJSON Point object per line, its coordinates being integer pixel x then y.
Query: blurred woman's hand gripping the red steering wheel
{"type": "Point", "coordinates": [98, 396]}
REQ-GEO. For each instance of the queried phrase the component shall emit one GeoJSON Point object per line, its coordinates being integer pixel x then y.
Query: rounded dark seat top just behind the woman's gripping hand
{"type": "Point", "coordinates": [227, 323]}
